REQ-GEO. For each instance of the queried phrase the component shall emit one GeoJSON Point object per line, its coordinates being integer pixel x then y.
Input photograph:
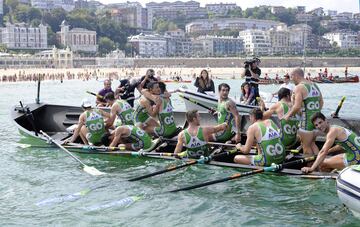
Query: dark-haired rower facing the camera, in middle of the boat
{"type": "Point", "coordinates": [227, 113]}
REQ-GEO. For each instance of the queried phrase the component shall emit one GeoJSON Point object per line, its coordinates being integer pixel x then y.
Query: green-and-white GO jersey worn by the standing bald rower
{"type": "Point", "coordinates": [311, 105]}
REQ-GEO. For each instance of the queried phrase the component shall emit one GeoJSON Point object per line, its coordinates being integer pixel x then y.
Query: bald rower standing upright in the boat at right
{"type": "Point", "coordinates": [307, 99]}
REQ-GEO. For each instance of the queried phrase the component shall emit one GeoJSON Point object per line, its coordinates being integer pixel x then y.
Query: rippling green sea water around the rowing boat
{"type": "Point", "coordinates": [31, 175]}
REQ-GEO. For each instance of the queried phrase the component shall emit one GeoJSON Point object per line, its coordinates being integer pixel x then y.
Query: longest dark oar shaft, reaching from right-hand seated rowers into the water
{"type": "Point", "coordinates": [271, 168]}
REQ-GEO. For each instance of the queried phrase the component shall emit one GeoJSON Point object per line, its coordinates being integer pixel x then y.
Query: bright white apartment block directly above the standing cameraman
{"type": "Point", "coordinates": [256, 42]}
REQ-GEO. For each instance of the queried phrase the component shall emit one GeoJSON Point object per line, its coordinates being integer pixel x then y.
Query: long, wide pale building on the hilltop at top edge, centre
{"type": "Point", "coordinates": [177, 10]}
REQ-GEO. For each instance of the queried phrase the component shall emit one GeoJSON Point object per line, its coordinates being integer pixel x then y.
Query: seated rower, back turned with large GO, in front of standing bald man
{"type": "Point", "coordinates": [267, 136]}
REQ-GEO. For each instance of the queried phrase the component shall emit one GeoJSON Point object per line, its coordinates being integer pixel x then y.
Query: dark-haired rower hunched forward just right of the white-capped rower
{"type": "Point", "coordinates": [121, 109]}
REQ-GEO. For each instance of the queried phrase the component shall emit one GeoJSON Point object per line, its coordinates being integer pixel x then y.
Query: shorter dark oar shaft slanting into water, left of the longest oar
{"type": "Point", "coordinates": [188, 163]}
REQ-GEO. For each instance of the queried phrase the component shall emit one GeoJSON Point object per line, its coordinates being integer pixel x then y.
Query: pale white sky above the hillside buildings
{"type": "Point", "coordinates": [339, 5]}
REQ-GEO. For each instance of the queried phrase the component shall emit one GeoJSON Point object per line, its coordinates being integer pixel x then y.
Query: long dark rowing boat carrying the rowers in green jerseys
{"type": "Point", "coordinates": [55, 119]}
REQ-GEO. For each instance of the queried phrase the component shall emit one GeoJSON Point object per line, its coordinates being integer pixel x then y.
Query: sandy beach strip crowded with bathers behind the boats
{"type": "Point", "coordinates": [164, 73]}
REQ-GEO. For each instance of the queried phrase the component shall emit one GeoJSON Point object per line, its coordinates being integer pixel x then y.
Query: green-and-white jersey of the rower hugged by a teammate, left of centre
{"type": "Point", "coordinates": [166, 117]}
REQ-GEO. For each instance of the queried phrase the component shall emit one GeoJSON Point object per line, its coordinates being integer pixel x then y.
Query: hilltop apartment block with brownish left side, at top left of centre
{"type": "Point", "coordinates": [132, 14]}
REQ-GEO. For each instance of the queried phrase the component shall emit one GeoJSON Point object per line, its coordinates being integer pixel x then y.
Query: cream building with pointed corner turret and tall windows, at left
{"type": "Point", "coordinates": [78, 39]}
